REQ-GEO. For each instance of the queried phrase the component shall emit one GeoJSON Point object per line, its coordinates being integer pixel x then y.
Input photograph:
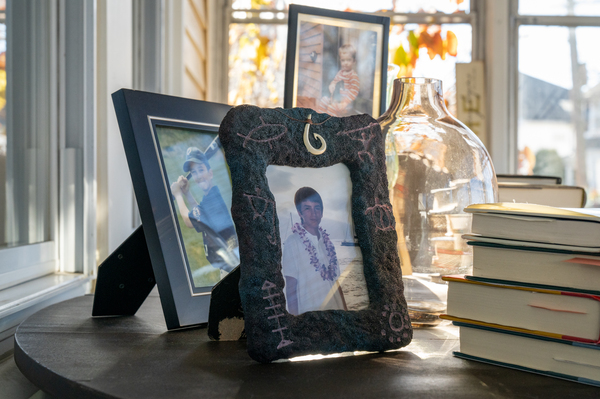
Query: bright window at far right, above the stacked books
{"type": "Point", "coordinates": [557, 112]}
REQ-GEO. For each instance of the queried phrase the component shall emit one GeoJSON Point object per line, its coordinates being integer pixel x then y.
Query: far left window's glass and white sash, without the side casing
{"type": "Point", "coordinates": [28, 134]}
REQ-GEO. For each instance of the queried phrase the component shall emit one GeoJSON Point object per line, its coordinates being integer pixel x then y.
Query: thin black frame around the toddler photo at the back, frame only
{"type": "Point", "coordinates": [291, 71]}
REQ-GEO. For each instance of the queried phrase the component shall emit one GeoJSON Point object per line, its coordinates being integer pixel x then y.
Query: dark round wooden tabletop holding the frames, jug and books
{"type": "Point", "coordinates": [69, 354]}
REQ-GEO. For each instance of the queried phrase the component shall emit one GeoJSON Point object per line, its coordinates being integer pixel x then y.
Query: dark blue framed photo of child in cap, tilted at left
{"type": "Point", "coordinates": [164, 137]}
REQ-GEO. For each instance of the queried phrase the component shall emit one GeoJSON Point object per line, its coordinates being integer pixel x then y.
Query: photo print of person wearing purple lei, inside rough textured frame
{"type": "Point", "coordinates": [322, 262]}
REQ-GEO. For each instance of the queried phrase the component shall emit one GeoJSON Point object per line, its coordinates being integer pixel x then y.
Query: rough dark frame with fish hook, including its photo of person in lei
{"type": "Point", "coordinates": [319, 268]}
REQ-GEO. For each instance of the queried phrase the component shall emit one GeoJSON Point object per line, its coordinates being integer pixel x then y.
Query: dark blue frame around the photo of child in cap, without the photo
{"type": "Point", "coordinates": [142, 116]}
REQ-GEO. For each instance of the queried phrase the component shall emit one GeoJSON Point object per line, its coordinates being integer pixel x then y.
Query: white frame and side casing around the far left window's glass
{"type": "Point", "coordinates": [69, 118]}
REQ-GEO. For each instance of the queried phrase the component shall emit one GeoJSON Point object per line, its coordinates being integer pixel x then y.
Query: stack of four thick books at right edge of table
{"type": "Point", "coordinates": [533, 300]}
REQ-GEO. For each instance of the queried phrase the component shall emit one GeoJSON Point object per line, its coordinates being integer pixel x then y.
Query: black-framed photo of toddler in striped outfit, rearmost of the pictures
{"type": "Point", "coordinates": [336, 61]}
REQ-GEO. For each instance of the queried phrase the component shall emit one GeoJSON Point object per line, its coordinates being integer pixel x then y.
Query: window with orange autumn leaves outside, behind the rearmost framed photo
{"type": "Point", "coordinates": [427, 39]}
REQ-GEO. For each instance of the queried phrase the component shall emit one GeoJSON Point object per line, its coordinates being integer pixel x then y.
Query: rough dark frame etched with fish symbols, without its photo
{"type": "Point", "coordinates": [254, 138]}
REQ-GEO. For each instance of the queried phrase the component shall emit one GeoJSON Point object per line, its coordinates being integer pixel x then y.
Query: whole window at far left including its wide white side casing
{"type": "Point", "coordinates": [46, 136]}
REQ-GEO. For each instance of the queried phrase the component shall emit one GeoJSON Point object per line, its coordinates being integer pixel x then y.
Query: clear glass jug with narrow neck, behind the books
{"type": "Point", "coordinates": [436, 167]}
